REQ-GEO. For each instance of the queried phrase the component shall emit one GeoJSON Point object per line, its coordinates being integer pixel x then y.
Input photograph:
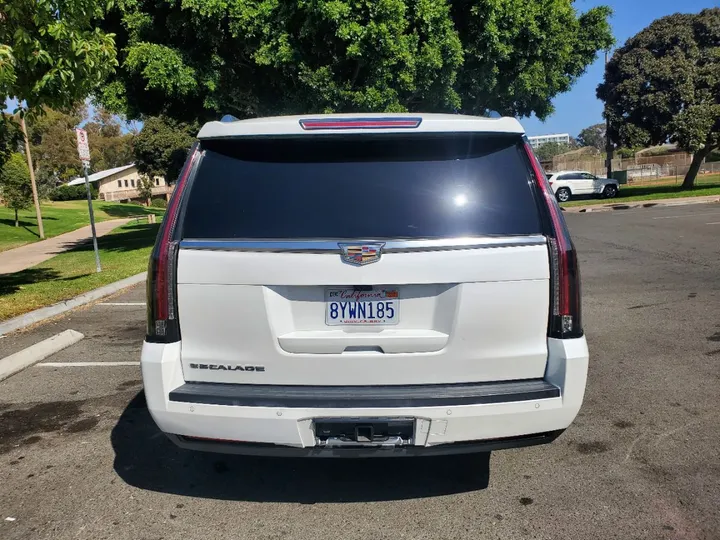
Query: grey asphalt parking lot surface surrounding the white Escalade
{"type": "Point", "coordinates": [80, 457]}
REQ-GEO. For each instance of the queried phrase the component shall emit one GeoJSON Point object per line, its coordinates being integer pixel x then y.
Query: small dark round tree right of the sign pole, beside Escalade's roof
{"type": "Point", "coordinates": [161, 147]}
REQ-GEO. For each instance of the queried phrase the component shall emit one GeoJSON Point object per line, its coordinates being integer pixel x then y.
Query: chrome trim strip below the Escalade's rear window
{"type": "Point", "coordinates": [391, 246]}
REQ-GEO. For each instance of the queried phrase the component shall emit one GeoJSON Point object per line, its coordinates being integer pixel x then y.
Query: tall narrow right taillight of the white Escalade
{"type": "Point", "coordinates": [565, 313]}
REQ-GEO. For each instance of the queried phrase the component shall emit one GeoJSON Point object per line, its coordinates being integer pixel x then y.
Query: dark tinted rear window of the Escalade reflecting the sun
{"type": "Point", "coordinates": [362, 187]}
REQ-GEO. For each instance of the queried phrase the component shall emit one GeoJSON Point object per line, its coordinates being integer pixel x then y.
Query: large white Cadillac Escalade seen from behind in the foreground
{"type": "Point", "coordinates": [363, 285]}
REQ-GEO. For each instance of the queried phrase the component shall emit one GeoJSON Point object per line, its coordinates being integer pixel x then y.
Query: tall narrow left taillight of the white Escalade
{"type": "Point", "coordinates": [162, 319]}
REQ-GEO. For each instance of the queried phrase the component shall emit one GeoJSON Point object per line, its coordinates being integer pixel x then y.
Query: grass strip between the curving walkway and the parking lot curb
{"type": "Point", "coordinates": [123, 253]}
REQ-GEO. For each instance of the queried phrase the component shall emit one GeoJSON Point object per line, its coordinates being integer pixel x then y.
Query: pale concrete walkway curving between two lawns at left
{"type": "Point", "coordinates": [15, 260]}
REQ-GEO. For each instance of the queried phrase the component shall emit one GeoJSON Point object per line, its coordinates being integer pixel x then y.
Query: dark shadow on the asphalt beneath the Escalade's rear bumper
{"type": "Point", "coordinates": [146, 459]}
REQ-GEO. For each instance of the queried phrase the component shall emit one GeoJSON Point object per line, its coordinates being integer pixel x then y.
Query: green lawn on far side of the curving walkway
{"type": "Point", "coordinates": [61, 217]}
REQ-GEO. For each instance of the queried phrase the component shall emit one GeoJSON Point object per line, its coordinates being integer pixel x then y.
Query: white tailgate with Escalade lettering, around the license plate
{"type": "Point", "coordinates": [464, 315]}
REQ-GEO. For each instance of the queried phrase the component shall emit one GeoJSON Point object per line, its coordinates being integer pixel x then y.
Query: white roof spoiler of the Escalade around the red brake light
{"type": "Point", "coordinates": [293, 125]}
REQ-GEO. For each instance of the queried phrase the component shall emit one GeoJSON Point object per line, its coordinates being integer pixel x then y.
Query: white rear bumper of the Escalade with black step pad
{"type": "Point", "coordinates": [498, 415]}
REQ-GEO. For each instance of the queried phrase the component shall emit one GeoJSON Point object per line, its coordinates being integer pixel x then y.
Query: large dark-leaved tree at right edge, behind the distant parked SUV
{"type": "Point", "coordinates": [664, 84]}
